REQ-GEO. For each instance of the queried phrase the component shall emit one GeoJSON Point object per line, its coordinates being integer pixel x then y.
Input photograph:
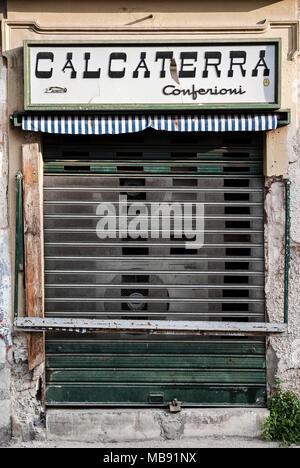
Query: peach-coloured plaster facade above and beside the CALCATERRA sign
{"type": "Point", "coordinates": [153, 19]}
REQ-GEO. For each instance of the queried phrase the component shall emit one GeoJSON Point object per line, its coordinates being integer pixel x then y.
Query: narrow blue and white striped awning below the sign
{"type": "Point", "coordinates": [117, 124]}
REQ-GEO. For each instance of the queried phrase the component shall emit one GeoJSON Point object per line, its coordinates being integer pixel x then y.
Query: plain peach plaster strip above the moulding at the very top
{"type": "Point", "coordinates": [174, 12]}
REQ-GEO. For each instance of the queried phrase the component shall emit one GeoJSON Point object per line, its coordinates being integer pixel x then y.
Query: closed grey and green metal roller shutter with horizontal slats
{"type": "Point", "coordinates": [155, 278]}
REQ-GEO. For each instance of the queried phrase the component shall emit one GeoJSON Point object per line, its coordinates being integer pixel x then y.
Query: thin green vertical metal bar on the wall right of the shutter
{"type": "Point", "coordinates": [287, 250]}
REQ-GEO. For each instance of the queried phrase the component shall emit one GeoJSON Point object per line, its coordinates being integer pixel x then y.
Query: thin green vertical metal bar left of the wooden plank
{"type": "Point", "coordinates": [19, 240]}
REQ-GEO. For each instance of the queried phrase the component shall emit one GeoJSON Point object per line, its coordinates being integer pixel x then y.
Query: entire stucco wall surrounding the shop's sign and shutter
{"type": "Point", "coordinates": [75, 20]}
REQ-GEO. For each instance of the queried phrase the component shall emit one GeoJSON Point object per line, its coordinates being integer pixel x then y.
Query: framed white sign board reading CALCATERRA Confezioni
{"type": "Point", "coordinates": [124, 76]}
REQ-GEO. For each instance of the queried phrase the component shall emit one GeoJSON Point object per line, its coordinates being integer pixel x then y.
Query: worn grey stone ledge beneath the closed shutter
{"type": "Point", "coordinates": [126, 425]}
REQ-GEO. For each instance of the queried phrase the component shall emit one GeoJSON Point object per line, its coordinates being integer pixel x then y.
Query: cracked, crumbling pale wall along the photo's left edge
{"type": "Point", "coordinates": [21, 413]}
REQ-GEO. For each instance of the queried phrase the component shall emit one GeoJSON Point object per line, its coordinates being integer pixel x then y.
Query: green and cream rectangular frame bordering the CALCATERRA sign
{"type": "Point", "coordinates": [136, 107]}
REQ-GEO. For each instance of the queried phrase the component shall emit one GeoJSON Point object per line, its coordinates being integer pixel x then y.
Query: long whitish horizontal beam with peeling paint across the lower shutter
{"type": "Point", "coordinates": [166, 327]}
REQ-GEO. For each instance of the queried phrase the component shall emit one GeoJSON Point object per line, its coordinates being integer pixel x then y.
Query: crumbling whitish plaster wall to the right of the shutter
{"type": "Point", "coordinates": [284, 351]}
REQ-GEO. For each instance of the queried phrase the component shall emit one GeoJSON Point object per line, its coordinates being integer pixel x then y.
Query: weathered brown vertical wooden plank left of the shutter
{"type": "Point", "coordinates": [33, 246]}
